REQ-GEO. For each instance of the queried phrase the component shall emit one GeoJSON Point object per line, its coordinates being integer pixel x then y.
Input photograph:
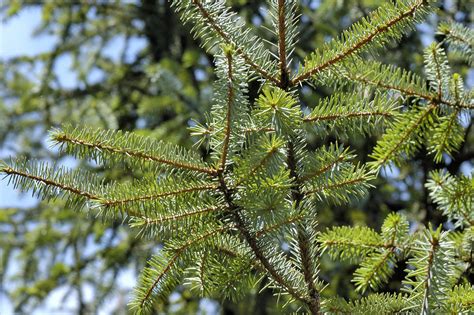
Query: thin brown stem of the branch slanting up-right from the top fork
{"type": "Point", "coordinates": [378, 30]}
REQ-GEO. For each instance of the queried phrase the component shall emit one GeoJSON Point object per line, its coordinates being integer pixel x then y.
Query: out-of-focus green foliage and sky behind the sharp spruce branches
{"type": "Point", "coordinates": [132, 65]}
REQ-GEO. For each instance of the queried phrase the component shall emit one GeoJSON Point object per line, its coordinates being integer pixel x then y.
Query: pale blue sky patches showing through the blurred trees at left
{"type": "Point", "coordinates": [16, 39]}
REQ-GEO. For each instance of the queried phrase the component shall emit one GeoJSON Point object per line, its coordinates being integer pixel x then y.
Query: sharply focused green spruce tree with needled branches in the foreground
{"type": "Point", "coordinates": [248, 213]}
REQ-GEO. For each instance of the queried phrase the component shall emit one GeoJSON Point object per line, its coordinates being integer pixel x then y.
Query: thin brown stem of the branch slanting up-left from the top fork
{"type": "Point", "coordinates": [219, 30]}
